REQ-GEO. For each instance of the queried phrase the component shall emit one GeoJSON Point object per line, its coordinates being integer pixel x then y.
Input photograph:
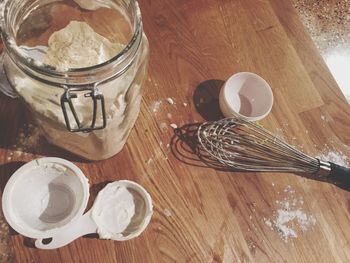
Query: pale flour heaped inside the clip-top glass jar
{"type": "Point", "coordinates": [79, 46]}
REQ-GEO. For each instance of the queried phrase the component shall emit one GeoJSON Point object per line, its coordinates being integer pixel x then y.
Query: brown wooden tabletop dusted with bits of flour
{"type": "Point", "coordinates": [200, 214]}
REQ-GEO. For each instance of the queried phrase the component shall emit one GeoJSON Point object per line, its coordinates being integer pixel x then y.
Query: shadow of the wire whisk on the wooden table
{"type": "Point", "coordinates": [186, 148]}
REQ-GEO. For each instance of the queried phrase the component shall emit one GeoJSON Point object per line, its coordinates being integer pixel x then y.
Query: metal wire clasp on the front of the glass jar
{"type": "Point", "coordinates": [68, 99]}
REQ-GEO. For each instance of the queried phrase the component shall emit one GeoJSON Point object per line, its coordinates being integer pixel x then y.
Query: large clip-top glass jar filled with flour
{"type": "Point", "coordinates": [87, 109]}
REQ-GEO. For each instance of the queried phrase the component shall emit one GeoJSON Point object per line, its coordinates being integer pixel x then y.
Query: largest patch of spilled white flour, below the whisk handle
{"type": "Point", "coordinates": [289, 218]}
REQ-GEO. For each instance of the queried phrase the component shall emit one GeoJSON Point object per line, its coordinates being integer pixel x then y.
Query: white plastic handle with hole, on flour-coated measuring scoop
{"type": "Point", "coordinates": [83, 226]}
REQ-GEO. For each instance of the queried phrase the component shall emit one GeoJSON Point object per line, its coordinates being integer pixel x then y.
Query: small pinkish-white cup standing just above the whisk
{"type": "Point", "coordinates": [247, 96]}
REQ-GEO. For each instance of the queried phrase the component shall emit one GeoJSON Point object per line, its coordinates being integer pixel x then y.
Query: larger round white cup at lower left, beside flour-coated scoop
{"type": "Point", "coordinates": [43, 196]}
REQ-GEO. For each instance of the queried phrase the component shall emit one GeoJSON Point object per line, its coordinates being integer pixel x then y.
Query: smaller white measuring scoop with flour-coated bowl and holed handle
{"type": "Point", "coordinates": [121, 211]}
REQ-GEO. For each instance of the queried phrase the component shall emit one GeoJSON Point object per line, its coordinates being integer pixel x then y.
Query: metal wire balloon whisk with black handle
{"type": "Point", "coordinates": [246, 146]}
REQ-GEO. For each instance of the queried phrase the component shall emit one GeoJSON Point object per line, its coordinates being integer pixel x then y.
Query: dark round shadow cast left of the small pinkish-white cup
{"type": "Point", "coordinates": [206, 99]}
